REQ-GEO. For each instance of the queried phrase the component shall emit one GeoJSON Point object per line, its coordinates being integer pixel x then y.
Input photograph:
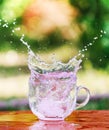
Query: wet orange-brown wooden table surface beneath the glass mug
{"type": "Point", "coordinates": [78, 120]}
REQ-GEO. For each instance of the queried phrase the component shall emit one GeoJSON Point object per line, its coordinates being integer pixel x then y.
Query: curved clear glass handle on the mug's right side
{"type": "Point", "coordinates": [79, 105]}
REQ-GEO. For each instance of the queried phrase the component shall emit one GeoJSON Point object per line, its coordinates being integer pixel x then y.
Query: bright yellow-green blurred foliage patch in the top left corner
{"type": "Point", "coordinates": [12, 9]}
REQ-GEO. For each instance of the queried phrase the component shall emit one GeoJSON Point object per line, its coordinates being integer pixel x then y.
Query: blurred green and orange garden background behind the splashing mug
{"type": "Point", "coordinates": [60, 27]}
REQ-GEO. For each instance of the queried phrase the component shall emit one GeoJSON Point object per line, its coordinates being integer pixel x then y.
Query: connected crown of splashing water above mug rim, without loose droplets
{"type": "Point", "coordinates": [35, 62]}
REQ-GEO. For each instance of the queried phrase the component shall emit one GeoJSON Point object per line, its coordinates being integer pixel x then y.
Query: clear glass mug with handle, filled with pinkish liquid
{"type": "Point", "coordinates": [53, 95]}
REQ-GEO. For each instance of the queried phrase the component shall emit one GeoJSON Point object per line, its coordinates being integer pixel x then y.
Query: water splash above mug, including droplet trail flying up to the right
{"type": "Point", "coordinates": [37, 64]}
